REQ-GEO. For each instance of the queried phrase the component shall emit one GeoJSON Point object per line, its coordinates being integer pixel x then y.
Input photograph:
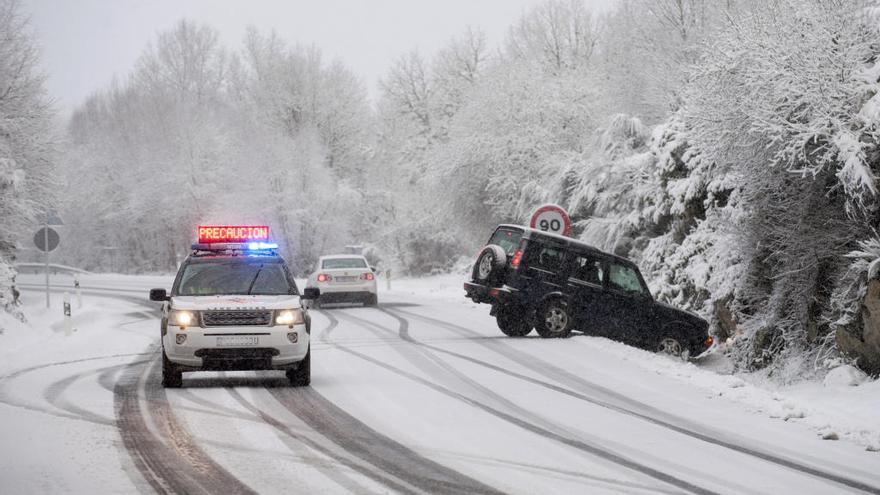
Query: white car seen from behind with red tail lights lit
{"type": "Point", "coordinates": [345, 278]}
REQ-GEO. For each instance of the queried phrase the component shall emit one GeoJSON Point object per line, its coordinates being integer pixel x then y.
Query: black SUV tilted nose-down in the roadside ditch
{"type": "Point", "coordinates": [556, 284]}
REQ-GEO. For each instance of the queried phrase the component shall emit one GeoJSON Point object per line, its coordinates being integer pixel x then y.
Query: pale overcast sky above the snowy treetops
{"type": "Point", "coordinates": [86, 43]}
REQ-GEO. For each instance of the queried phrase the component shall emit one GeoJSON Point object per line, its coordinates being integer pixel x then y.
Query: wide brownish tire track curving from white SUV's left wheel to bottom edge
{"type": "Point", "coordinates": [178, 466]}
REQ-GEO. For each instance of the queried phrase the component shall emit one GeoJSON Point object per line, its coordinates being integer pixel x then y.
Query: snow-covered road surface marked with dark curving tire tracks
{"type": "Point", "coordinates": [420, 395]}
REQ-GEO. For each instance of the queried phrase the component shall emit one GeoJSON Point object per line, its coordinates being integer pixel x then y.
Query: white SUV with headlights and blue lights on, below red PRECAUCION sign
{"type": "Point", "coordinates": [234, 308]}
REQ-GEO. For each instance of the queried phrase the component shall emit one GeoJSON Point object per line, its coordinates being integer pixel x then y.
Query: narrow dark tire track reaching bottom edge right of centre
{"type": "Point", "coordinates": [599, 452]}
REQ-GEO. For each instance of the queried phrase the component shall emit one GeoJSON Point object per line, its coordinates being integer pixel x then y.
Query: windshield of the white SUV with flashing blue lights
{"type": "Point", "coordinates": [211, 277]}
